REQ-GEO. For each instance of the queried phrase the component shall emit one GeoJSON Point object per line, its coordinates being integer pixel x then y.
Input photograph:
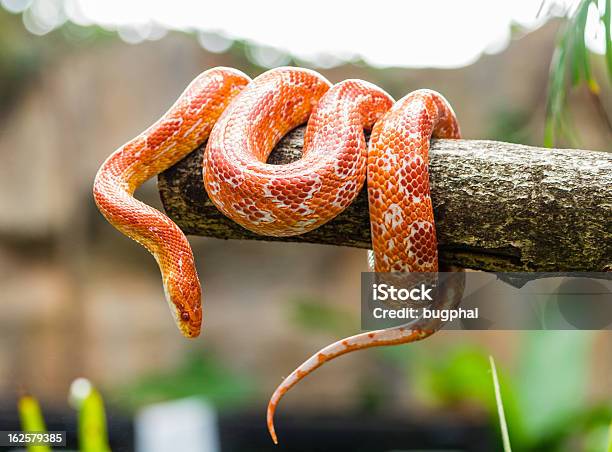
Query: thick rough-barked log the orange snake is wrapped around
{"type": "Point", "coordinates": [498, 206]}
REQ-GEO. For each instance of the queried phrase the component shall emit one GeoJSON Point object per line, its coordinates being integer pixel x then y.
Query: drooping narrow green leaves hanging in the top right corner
{"type": "Point", "coordinates": [570, 66]}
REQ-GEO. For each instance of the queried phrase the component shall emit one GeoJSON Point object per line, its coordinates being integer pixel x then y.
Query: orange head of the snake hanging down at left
{"type": "Point", "coordinates": [184, 298]}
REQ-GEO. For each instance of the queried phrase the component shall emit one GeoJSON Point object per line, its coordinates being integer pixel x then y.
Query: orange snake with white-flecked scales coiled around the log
{"type": "Point", "coordinates": [243, 120]}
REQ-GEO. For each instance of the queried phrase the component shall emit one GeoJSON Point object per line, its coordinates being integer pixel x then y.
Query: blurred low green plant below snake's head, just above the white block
{"type": "Point", "coordinates": [200, 375]}
